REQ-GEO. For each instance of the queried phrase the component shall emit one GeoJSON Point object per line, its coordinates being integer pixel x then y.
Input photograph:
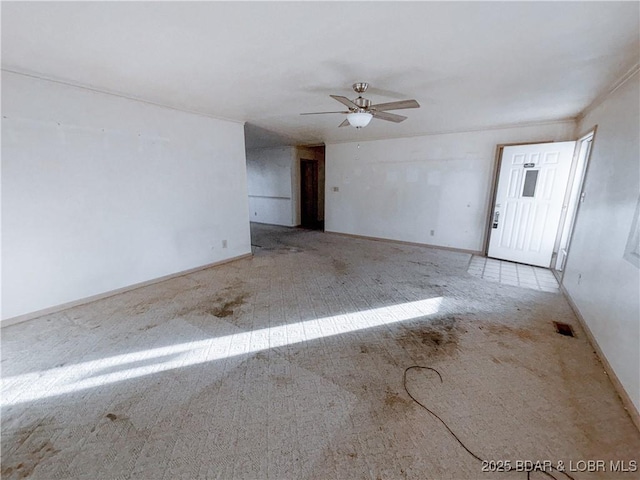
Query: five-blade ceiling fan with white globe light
{"type": "Point", "coordinates": [361, 111]}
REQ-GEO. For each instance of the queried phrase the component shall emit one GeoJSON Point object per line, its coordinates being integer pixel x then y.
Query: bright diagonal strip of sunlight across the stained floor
{"type": "Point", "coordinates": [85, 375]}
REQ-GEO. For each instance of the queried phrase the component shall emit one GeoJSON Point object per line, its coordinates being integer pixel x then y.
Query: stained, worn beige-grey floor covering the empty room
{"type": "Point", "coordinates": [290, 365]}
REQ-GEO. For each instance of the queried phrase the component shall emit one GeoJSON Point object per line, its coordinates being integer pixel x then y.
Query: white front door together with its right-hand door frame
{"type": "Point", "coordinates": [537, 193]}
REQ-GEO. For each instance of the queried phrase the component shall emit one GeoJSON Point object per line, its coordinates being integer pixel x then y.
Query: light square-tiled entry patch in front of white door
{"type": "Point", "coordinates": [509, 273]}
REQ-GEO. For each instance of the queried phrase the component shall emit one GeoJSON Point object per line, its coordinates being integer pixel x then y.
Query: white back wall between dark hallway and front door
{"type": "Point", "coordinates": [404, 188]}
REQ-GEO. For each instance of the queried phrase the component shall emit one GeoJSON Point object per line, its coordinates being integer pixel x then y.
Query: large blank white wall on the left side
{"type": "Point", "coordinates": [100, 192]}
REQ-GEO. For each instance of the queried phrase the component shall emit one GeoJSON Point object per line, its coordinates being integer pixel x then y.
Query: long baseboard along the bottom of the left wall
{"type": "Point", "coordinates": [64, 306]}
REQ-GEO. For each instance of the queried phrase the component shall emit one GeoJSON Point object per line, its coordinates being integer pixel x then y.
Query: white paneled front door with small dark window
{"type": "Point", "coordinates": [531, 187]}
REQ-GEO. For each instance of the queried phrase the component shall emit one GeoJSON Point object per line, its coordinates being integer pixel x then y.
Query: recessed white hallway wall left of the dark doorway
{"type": "Point", "coordinates": [270, 180]}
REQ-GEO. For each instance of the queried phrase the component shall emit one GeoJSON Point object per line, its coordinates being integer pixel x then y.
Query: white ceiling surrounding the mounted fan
{"type": "Point", "coordinates": [470, 65]}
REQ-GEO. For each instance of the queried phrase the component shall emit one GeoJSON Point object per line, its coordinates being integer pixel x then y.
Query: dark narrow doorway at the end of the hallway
{"type": "Point", "coordinates": [312, 188]}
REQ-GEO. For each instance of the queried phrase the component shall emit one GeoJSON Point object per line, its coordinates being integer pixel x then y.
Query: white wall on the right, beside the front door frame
{"type": "Point", "coordinates": [603, 284]}
